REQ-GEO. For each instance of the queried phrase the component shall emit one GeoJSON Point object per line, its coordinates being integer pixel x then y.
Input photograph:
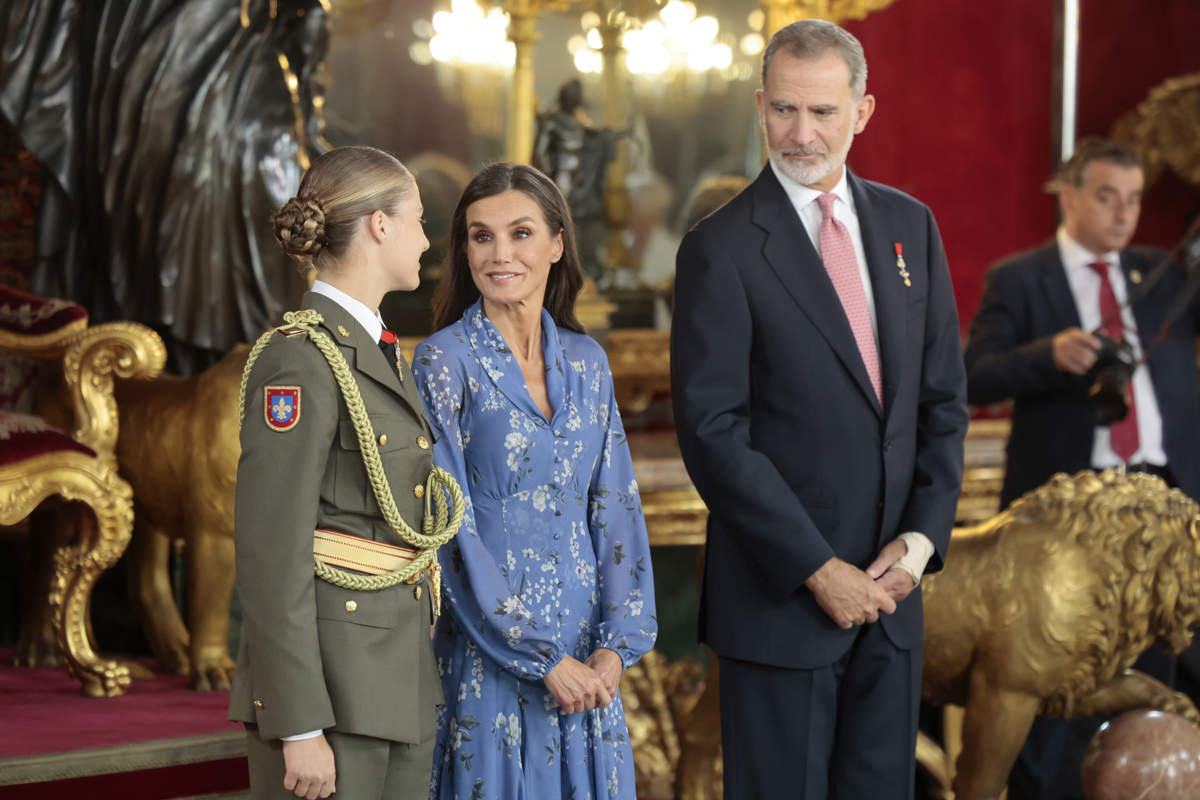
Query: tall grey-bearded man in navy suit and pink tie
{"type": "Point", "coordinates": [820, 404]}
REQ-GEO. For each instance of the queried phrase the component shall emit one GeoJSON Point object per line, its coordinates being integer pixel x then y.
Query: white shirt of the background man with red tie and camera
{"type": "Point", "coordinates": [1085, 288]}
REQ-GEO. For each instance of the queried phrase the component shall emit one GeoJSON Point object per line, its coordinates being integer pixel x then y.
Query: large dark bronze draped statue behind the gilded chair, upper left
{"type": "Point", "coordinates": [167, 133]}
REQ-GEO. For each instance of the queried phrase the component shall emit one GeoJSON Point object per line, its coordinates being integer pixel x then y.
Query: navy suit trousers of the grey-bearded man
{"type": "Point", "coordinates": [847, 731]}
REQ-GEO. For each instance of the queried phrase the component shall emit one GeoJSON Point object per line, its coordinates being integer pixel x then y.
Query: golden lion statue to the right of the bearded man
{"type": "Point", "coordinates": [1043, 610]}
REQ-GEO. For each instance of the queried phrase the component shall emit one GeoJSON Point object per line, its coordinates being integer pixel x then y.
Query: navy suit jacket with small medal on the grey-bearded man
{"type": "Point", "coordinates": [779, 426]}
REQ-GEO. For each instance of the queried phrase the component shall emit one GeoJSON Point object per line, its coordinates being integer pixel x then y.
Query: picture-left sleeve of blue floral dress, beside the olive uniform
{"type": "Point", "coordinates": [476, 591]}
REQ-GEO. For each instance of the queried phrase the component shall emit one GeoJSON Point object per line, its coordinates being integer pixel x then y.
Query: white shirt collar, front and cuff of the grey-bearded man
{"type": "Point", "coordinates": [805, 201]}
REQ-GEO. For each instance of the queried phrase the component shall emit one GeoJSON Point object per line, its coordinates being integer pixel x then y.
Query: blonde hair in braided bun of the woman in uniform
{"type": "Point", "coordinates": [343, 187]}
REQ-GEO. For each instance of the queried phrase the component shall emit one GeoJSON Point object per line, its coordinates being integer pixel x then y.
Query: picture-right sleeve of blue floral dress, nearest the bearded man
{"type": "Point", "coordinates": [626, 580]}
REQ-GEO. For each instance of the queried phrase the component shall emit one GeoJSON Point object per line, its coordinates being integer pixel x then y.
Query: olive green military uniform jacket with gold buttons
{"type": "Point", "coordinates": [314, 655]}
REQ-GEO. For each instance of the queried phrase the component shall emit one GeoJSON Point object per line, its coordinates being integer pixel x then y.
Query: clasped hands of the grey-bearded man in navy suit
{"type": "Point", "coordinates": [853, 597]}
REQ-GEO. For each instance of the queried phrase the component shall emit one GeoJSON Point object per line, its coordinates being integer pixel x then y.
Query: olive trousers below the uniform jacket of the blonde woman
{"type": "Point", "coordinates": [367, 768]}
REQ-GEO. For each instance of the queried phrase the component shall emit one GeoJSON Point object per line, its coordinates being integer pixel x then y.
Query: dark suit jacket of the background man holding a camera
{"type": "Point", "coordinates": [1010, 356]}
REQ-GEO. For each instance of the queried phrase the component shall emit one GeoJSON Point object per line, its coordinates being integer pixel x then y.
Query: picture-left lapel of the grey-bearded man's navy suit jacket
{"type": "Point", "coordinates": [790, 254]}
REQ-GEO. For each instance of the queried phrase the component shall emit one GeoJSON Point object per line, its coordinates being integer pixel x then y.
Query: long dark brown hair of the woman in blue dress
{"type": "Point", "coordinates": [458, 291]}
